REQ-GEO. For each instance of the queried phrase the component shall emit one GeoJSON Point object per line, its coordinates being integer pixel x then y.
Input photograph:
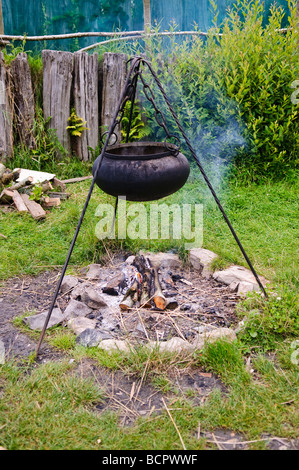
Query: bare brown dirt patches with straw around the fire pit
{"type": "Point", "coordinates": [128, 395]}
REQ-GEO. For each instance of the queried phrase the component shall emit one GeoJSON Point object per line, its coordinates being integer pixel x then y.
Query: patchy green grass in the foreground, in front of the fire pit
{"type": "Point", "coordinates": [56, 408]}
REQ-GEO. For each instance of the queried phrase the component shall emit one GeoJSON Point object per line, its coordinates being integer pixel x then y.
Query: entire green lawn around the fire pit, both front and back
{"type": "Point", "coordinates": [47, 406]}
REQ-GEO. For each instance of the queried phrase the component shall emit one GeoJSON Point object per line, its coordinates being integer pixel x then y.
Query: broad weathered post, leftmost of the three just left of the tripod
{"type": "Point", "coordinates": [57, 83]}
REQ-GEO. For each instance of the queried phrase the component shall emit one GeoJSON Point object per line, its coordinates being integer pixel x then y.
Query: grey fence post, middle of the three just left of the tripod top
{"type": "Point", "coordinates": [86, 102]}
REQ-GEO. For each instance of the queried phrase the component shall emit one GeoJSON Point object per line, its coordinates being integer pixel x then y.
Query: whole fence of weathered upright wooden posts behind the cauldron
{"type": "Point", "coordinates": [70, 80]}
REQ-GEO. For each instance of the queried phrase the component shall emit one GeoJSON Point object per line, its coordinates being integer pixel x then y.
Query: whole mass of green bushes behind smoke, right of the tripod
{"type": "Point", "coordinates": [232, 93]}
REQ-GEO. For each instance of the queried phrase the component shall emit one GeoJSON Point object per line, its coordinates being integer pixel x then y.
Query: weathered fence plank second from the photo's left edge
{"type": "Point", "coordinates": [24, 106]}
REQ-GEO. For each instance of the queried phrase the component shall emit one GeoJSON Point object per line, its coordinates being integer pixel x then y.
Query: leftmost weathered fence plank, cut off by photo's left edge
{"type": "Point", "coordinates": [6, 112]}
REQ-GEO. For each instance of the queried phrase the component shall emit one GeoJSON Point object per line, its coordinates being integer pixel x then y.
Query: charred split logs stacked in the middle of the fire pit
{"type": "Point", "coordinates": [144, 288]}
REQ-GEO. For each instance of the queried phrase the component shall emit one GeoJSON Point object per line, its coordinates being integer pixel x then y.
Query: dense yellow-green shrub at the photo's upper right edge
{"type": "Point", "coordinates": [258, 67]}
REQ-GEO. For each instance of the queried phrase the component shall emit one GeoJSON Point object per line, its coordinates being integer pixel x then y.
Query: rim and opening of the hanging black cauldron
{"type": "Point", "coordinates": [169, 150]}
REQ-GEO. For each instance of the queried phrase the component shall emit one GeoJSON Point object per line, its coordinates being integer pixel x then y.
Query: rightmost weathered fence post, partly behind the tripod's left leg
{"type": "Point", "coordinates": [114, 74]}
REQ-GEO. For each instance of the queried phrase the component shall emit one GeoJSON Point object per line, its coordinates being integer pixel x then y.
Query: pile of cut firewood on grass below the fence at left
{"type": "Point", "coordinates": [27, 196]}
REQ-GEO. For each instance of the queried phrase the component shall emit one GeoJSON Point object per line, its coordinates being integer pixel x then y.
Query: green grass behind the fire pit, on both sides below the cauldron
{"type": "Point", "coordinates": [265, 218]}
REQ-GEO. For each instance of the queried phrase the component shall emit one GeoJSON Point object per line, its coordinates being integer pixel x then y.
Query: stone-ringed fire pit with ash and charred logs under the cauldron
{"type": "Point", "coordinates": [146, 300]}
